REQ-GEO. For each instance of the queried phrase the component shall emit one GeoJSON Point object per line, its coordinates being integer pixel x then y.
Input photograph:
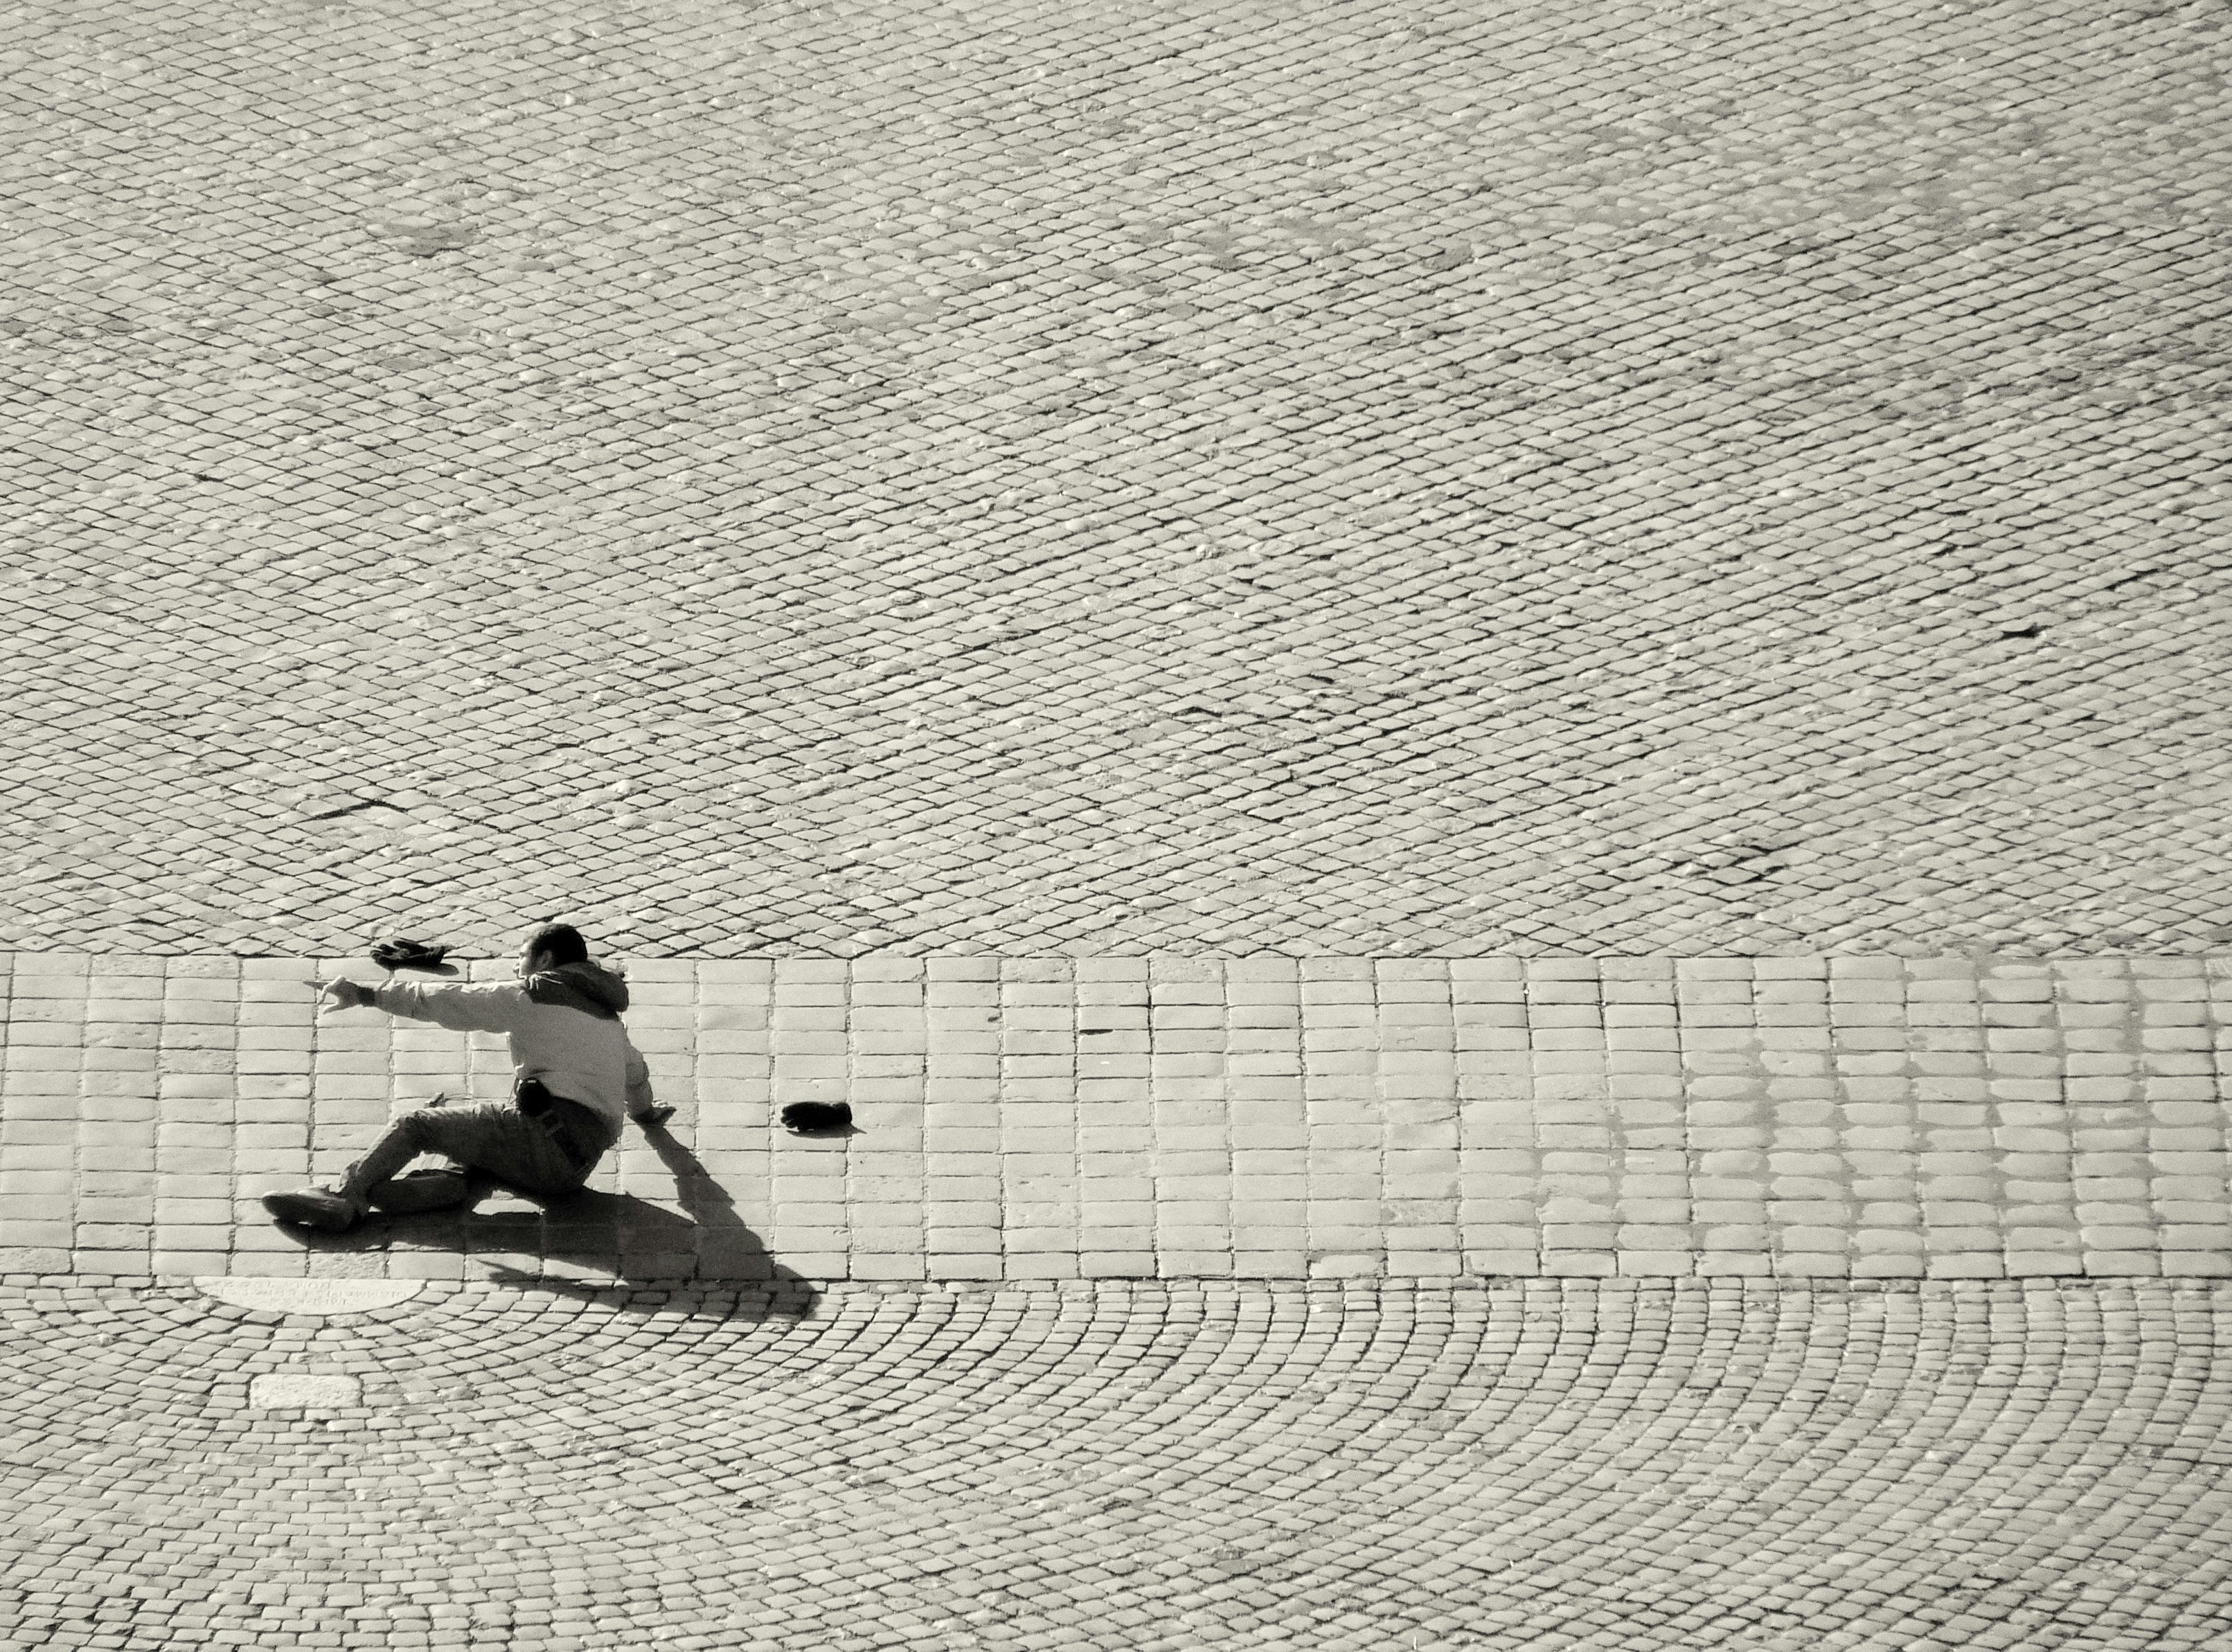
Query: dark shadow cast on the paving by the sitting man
{"type": "Point", "coordinates": [613, 1238]}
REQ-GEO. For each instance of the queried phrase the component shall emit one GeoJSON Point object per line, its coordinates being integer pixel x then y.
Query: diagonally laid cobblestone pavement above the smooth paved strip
{"type": "Point", "coordinates": [1322, 479]}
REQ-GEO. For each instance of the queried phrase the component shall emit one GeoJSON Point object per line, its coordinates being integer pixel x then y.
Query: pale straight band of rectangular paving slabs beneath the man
{"type": "Point", "coordinates": [1037, 1120]}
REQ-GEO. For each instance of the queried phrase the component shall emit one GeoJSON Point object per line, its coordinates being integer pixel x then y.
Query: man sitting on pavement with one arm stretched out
{"type": "Point", "coordinates": [575, 1077]}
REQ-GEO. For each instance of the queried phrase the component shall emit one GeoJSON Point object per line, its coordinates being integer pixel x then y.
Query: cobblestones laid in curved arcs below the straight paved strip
{"type": "Point", "coordinates": [1546, 1466]}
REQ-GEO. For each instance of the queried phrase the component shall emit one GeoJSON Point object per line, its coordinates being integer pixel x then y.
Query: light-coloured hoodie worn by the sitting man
{"type": "Point", "coordinates": [564, 1026]}
